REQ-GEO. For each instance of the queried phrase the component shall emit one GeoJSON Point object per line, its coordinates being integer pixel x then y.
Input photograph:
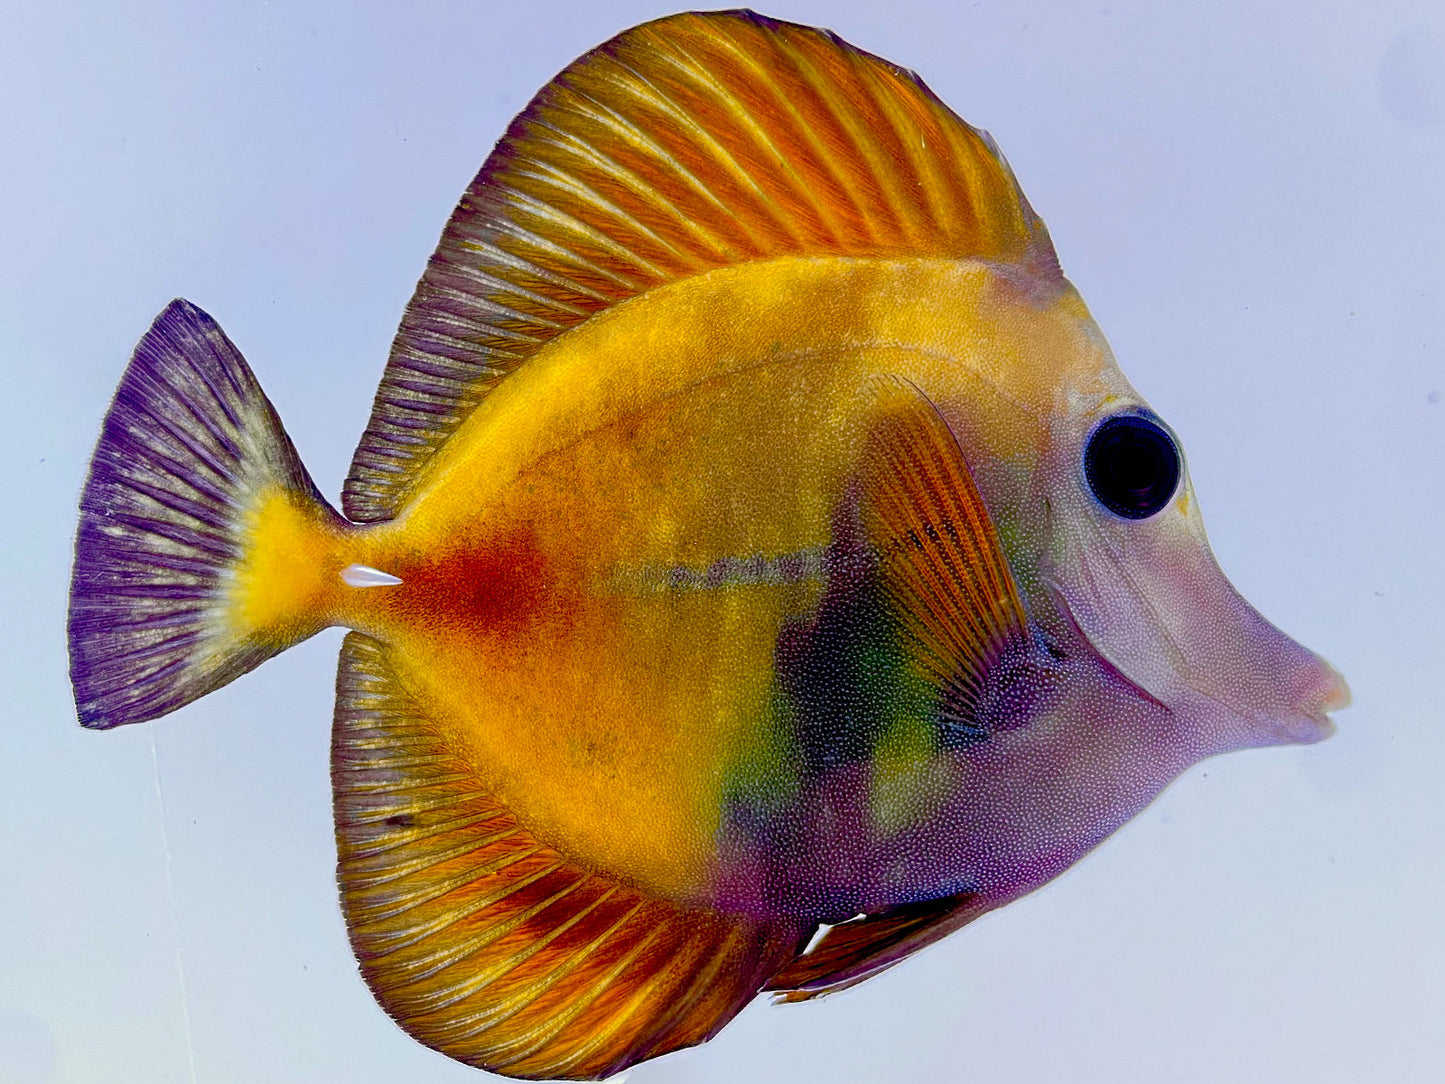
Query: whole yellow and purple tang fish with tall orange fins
{"type": "Point", "coordinates": [755, 569]}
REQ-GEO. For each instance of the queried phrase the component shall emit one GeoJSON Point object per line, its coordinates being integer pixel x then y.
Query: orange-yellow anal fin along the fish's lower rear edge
{"type": "Point", "coordinates": [492, 947]}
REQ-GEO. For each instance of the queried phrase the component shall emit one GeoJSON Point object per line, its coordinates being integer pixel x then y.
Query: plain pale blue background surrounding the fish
{"type": "Point", "coordinates": [1252, 199]}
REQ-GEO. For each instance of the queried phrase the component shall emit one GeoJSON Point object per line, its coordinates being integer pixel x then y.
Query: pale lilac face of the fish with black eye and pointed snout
{"type": "Point", "coordinates": [1129, 564]}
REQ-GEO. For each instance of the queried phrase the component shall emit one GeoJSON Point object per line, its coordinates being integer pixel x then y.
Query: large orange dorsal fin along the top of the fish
{"type": "Point", "coordinates": [684, 145]}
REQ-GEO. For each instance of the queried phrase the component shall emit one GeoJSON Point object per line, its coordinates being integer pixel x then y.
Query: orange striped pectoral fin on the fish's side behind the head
{"type": "Point", "coordinates": [940, 562]}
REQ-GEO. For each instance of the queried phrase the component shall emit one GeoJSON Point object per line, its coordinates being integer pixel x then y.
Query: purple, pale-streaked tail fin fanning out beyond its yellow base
{"type": "Point", "coordinates": [190, 455]}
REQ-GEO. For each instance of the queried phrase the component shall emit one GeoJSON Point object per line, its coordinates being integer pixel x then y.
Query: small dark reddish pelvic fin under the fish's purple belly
{"type": "Point", "coordinates": [853, 952]}
